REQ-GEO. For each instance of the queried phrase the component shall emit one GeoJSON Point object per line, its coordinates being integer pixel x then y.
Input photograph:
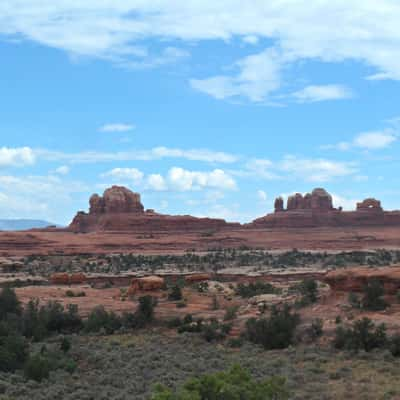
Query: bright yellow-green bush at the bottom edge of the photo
{"type": "Point", "coordinates": [237, 383]}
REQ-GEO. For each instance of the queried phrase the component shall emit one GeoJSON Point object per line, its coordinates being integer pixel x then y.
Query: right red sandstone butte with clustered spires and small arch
{"type": "Point", "coordinates": [316, 209]}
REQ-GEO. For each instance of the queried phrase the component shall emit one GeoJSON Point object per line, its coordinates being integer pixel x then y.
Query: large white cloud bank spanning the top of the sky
{"type": "Point", "coordinates": [325, 31]}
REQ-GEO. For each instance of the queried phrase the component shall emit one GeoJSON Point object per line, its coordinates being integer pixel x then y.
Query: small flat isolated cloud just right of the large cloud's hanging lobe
{"type": "Point", "coordinates": [313, 93]}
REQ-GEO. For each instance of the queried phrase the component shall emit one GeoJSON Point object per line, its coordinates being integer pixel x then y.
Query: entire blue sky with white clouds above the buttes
{"type": "Point", "coordinates": [207, 108]}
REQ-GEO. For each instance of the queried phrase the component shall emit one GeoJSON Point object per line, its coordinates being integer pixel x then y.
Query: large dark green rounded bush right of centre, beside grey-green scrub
{"type": "Point", "coordinates": [276, 332]}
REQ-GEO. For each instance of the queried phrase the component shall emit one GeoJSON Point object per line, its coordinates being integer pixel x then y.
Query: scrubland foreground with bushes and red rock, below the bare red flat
{"type": "Point", "coordinates": [222, 325]}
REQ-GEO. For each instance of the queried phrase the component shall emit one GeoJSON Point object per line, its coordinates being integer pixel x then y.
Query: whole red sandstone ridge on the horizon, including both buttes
{"type": "Point", "coordinates": [120, 209]}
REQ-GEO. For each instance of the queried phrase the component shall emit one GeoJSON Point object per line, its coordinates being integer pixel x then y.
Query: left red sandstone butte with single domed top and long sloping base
{"type": "Point", "coordinates": [120, 209]}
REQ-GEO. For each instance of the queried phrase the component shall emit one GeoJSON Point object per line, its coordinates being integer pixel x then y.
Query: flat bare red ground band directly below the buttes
{"type": "Point", "coordinates": [329, 239]}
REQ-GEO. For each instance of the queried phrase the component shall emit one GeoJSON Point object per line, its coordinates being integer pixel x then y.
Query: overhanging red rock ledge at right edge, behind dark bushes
{"type": "Point", "coordinates": [355, 279]}
